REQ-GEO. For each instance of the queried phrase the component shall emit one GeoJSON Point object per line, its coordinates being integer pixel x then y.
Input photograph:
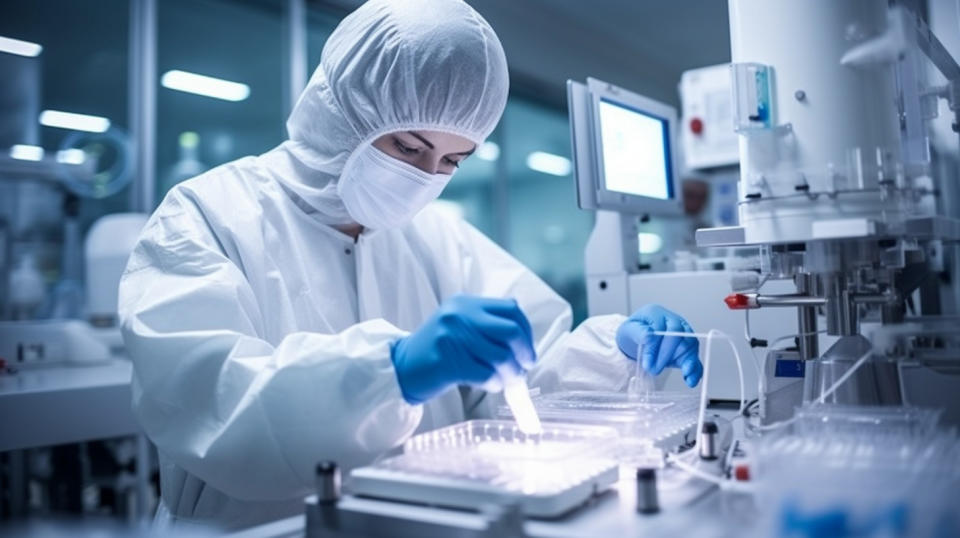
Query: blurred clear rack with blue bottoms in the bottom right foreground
{"type": "Point", "coordinates": [865, 471]}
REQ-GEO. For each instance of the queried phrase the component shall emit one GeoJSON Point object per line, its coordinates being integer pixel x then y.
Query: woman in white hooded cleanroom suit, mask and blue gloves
{"type": "Point", "coordinates": [305, 305]}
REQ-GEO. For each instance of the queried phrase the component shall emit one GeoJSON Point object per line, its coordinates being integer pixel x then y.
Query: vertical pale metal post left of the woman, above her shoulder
{"type": "Point", "coordinates": [143, 102]}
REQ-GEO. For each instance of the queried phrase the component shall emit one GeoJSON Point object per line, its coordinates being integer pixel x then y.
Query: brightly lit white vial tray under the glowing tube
{"type": "Point", "coordinates": [483, 461]}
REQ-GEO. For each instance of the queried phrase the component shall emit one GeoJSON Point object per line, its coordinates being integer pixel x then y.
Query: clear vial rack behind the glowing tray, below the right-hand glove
{"type": "Point", "coordinates": [648, 424]}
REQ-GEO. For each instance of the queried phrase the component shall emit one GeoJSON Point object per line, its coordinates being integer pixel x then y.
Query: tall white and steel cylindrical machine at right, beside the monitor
{"type": "Point", "coordinates": [832, 104]}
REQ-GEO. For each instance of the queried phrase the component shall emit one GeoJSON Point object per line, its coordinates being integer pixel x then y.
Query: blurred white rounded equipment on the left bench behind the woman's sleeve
{"type": "Point", "coordinates": [108, 246]}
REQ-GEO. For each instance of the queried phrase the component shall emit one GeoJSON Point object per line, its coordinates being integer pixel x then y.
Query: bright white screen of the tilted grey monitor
{"type": "Point", "coordinates": [636, 151]}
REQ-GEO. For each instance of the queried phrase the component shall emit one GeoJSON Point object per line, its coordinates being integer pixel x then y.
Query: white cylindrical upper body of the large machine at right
{"type": "Point", "coordinates": [832, 138]}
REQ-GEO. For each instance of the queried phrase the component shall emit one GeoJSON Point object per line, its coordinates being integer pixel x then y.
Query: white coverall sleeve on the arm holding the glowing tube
{"type": "Point", "coordinates": [248, 417]}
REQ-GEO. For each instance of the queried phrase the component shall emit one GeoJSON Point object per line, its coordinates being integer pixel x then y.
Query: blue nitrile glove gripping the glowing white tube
{"type": "Point", "coordinates": [468, 341]}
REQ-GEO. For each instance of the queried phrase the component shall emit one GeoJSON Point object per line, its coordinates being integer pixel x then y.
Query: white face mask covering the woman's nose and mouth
{"type": "Point", "coordinates": [381, 192]}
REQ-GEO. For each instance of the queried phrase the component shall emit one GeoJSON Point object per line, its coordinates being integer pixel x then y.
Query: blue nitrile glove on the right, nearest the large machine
{"type": "Point", "coordinates": [660, 352]}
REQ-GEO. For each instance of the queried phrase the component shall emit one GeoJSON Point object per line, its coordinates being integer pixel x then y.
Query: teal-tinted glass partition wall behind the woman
{"type": "Point", "coordinates": [221, 88]}
